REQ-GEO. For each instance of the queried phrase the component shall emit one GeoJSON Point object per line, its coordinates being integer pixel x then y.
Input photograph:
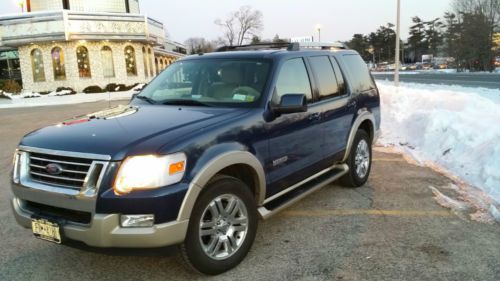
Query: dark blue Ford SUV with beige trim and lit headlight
{"type": "Point", "coordinates": [211, 145]}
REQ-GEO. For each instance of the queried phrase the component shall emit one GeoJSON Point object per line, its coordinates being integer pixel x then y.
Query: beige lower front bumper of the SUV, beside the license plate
{"type": "Point", "coordinates": [105, 231]}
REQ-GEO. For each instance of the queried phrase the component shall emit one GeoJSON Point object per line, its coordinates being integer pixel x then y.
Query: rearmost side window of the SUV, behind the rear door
{"type": "Point", "coordinates": [358, 70]}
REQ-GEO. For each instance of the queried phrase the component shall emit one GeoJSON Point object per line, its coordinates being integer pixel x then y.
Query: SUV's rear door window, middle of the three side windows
{"type": "Point", "coordinates": [323, 69]}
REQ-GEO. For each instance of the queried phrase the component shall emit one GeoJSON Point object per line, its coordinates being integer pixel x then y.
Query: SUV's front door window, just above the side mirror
{"type": "Point", "coordinates": [293, 79]}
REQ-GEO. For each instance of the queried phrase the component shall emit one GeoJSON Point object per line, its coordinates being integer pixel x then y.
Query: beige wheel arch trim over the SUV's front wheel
{"type": "Point", "coordinates": [218, 164]}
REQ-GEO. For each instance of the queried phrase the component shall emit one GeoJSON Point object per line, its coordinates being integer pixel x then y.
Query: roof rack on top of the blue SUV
{"type": "Point", "coordinates": [295, 46]}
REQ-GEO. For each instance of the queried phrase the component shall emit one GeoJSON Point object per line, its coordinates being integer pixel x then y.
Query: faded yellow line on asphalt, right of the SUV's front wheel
{"type": "Point", "coordinates": [369, 212]}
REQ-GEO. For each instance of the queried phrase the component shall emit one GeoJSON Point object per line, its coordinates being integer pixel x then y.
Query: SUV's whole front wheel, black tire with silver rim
{"type": "Point", "coordinates": [211, 261]}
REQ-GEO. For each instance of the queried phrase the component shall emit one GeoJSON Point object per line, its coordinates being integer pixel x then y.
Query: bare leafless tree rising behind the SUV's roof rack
{"type": "Point", "coordinates": [241, 25]}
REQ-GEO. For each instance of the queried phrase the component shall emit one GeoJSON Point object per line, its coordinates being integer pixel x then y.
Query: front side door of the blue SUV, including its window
{"type": "Point", "coordinates": [294, 139]}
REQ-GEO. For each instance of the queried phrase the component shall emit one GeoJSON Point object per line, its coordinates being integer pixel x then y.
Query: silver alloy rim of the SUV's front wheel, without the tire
{"type": "Point", "coordinates": [223, 226]}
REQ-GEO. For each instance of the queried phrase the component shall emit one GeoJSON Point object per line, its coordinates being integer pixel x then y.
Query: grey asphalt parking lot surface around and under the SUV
{"type": "Point", "coordinates": [390, 229]}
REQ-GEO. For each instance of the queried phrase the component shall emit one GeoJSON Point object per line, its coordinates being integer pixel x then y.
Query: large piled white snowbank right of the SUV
{"type": "Point", "coordinates": [453, 127]}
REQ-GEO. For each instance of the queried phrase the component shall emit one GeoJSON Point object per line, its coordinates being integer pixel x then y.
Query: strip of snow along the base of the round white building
{"type": "Point", "coordinates": [29, 99]}
